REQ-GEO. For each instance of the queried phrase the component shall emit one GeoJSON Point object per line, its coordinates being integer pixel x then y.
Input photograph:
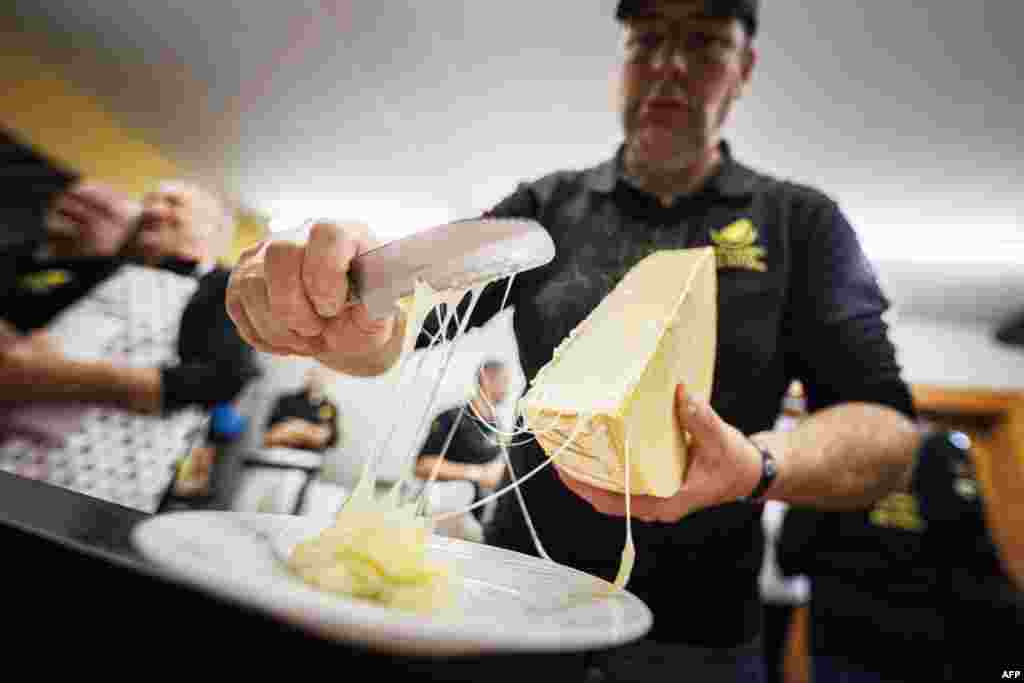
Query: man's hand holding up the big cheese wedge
{"type": "Point", "coordinates": [723, 466]}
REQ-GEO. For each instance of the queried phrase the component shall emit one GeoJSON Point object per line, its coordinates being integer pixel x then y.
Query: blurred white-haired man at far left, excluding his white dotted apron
{"type": "Point", "coordinates": [214, 362]}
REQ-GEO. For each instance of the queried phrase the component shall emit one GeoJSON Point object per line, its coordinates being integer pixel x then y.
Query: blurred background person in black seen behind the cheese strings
{"type": "Point", "coordinates": [474, 453]}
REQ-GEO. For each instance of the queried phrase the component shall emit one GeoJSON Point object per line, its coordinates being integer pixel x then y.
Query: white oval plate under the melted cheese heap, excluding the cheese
{"type": "Point", "coordinates": [510, 603]}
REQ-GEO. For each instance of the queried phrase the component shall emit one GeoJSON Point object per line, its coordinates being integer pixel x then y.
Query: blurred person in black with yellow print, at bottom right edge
{"type": "Point", "coordinates": [918, 574]}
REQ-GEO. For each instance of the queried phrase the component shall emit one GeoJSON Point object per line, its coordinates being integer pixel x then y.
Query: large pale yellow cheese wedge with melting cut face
{"type": "Point", "coordinates": [618, 372]}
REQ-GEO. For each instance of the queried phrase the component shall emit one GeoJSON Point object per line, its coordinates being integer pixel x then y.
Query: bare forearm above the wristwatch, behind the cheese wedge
{"type": "Point", "coordinates": [846, 457]}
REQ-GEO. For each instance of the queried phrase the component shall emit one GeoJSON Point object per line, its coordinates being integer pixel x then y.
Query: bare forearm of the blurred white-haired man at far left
{"type": "Point", "coordinates": [137, 390]}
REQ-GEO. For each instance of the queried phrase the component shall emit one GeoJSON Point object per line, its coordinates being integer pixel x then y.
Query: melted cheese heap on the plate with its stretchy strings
{"type": "Point", "coordinates": [364, 567]}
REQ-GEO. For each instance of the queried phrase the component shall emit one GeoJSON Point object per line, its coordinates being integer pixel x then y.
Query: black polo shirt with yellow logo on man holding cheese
{"type": "Point", "coordinates": [797, 301]}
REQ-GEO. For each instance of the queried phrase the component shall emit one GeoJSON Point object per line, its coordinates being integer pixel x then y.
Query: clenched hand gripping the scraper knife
{"type": "Point", "coordinates": [292, 300]}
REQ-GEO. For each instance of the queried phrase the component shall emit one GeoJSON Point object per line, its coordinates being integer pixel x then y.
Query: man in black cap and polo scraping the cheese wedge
{"type": "Point", "coordinates": [797, 301]}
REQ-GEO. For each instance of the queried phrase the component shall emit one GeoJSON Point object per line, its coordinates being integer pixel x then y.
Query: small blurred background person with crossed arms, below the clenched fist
{"type": "Point", "coordinates": [307, 419]}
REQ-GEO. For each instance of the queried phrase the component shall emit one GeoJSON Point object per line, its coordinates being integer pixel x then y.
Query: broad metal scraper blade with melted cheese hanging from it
{"type": "Point", "coordinates": [456, 255]}
